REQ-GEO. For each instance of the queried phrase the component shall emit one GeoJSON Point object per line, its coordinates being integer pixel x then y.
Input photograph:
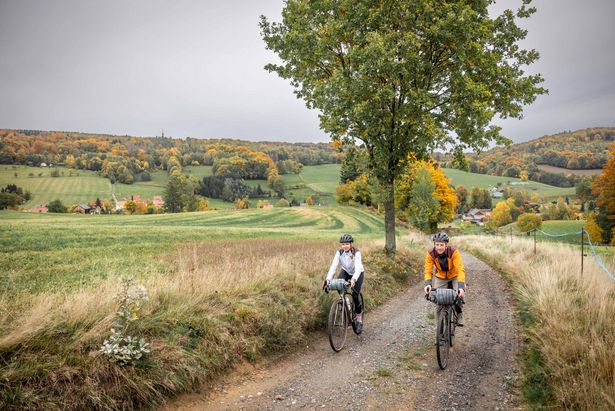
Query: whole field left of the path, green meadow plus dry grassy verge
{"type": "Point", "coordinates": [224, 287]}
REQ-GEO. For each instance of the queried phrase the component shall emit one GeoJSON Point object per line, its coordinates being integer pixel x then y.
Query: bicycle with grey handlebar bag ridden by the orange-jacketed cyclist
{"type": "Point", "coordinates": [445, 329]}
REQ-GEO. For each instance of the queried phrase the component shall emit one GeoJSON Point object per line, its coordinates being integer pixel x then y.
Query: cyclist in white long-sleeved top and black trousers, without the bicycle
{"type": "Point", "coordinates": [352, 269]}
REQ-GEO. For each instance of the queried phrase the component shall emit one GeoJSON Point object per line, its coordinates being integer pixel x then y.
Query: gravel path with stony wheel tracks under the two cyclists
{"type": "Point", "coordinates": [392, 365]}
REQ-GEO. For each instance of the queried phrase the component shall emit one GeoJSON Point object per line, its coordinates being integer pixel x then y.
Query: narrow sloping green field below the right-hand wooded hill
{"type": "Point", "coordinates": [470, 180]}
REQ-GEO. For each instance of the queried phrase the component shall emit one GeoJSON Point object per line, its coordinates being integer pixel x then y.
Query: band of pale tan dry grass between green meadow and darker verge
{"type": "Point", "coordinates": [201, 270]}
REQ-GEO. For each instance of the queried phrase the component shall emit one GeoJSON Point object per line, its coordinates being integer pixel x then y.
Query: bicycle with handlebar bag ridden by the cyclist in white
{"type": "Point", "coordinates": [341, 314]}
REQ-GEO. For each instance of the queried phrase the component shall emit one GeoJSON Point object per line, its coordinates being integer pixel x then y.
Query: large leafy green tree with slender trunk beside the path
{"type": "Point", "coordinates": [404, 76]}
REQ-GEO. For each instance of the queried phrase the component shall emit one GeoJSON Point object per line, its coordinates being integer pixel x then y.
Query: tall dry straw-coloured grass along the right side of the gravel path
{"type": "Point", "coordinates": [575, 315]}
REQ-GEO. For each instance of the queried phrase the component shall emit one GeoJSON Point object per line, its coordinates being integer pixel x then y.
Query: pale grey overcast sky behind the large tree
{"type": "Point", "coordinates": [195, 68]}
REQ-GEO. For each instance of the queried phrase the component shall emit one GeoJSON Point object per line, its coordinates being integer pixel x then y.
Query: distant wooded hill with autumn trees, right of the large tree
{"type": "Point", "coordinates": [552, 159]}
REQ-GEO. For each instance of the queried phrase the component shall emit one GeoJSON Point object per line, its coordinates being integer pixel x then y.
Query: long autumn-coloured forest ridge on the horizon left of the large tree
{"type": "Point", "coordinates": [126, 159]}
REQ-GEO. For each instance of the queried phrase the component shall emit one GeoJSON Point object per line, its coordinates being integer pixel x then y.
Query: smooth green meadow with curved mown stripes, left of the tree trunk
{"type": "Point", "coordinates": [45, 252]}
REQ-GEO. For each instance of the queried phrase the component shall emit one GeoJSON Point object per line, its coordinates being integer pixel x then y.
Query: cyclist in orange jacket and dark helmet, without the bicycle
{"type": "Point", "coordinates": [449, 271]}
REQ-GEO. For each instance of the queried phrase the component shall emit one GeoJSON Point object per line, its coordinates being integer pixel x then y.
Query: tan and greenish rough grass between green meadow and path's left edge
{"type": "Point", "coordinates": [224, 301]}
